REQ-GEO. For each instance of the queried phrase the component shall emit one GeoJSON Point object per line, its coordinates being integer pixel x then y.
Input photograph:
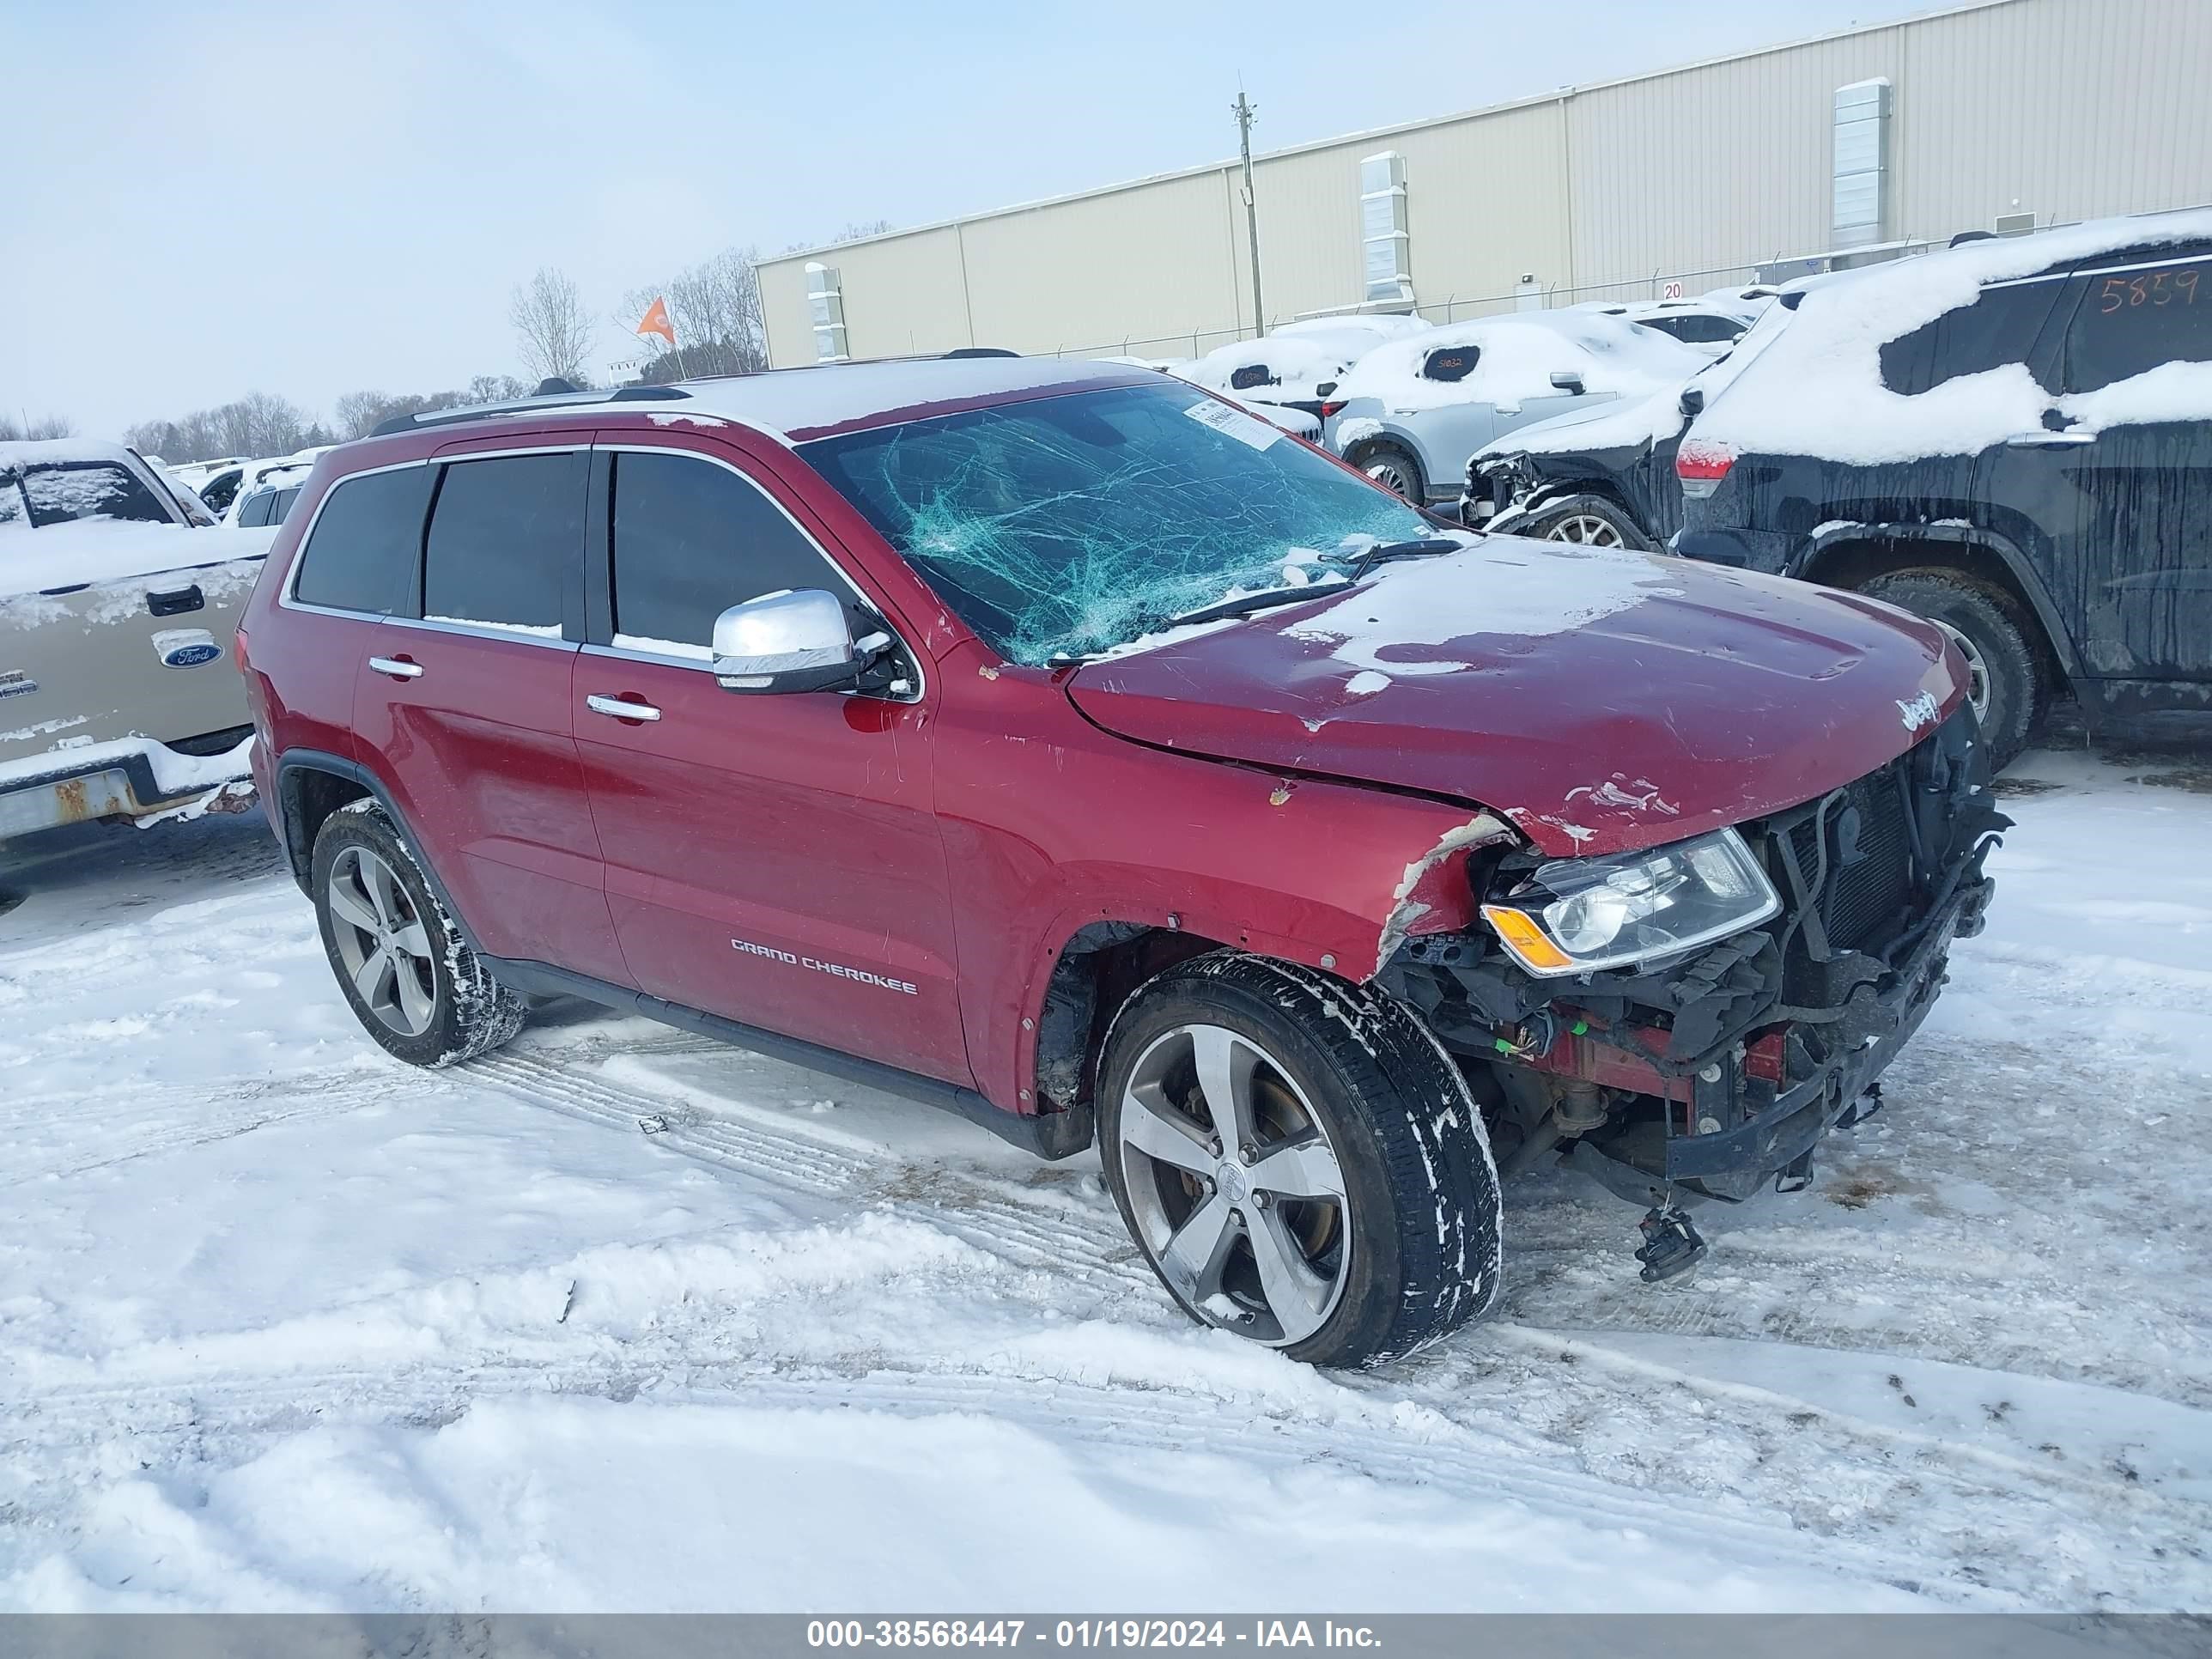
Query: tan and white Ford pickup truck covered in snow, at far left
{"type": "Point", "coordinates": [118, 609]}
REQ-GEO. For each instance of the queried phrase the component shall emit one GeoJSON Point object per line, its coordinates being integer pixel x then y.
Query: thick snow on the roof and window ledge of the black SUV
{"type": "Point", "coordinates": [1841, 328]}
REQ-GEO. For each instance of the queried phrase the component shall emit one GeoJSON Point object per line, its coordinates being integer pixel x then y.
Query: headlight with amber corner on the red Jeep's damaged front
{"type": "Point", "coordinates": [1583, 915]}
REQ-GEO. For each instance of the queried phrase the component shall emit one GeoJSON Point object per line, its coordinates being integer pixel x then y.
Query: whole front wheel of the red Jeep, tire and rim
{"type": "Point", "coordinates": [1417, 1244]}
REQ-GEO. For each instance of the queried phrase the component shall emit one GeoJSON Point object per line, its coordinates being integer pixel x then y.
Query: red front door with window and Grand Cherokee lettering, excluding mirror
{"type": "Point", "coordinates": [773, 859]}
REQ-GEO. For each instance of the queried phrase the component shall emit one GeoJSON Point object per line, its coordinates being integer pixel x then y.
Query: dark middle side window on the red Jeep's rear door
{"type": "Point", "coordinates": [505, 541]}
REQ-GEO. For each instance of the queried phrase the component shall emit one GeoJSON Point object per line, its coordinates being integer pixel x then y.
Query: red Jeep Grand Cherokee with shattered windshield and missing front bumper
{"type": "Point", "coordinates": [1072, 749]}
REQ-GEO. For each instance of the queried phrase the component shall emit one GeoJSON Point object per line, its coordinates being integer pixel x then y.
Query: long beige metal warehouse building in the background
{"type": "Point", "coordinates": [1983, 116]}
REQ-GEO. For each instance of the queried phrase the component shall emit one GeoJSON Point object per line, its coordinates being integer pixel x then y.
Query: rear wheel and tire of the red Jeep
{"type": "Point", "coordinates": [448, 1008]}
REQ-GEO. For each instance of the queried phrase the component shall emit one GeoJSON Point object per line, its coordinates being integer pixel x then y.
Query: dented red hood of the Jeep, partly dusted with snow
{"type": "Point", "coordinates": [1600, 700]}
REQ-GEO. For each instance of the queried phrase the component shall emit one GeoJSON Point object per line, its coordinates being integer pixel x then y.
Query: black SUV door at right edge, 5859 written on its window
{"type": "Point", "coordinates": [2133, 494]}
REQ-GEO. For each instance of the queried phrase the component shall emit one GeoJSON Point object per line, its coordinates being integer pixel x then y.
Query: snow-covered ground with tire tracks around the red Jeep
{"type": "Point", "coordinates": [291, 1326]}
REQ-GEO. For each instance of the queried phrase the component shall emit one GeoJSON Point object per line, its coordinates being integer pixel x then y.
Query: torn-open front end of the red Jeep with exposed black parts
{"type": "Point", "coordinates": [1722, 1070]}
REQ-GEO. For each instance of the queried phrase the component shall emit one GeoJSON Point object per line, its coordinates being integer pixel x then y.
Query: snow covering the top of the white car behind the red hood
{"type": "Point", "coordinates": [1519, 355]}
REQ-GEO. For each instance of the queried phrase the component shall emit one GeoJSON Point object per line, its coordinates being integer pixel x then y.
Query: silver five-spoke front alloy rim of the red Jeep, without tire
{"type": "Point", "coordinates": [1235, 1185]}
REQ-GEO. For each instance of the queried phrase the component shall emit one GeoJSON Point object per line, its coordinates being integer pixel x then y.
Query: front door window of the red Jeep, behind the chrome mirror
{"type": "Point", "coordinates": [691, 541]}
